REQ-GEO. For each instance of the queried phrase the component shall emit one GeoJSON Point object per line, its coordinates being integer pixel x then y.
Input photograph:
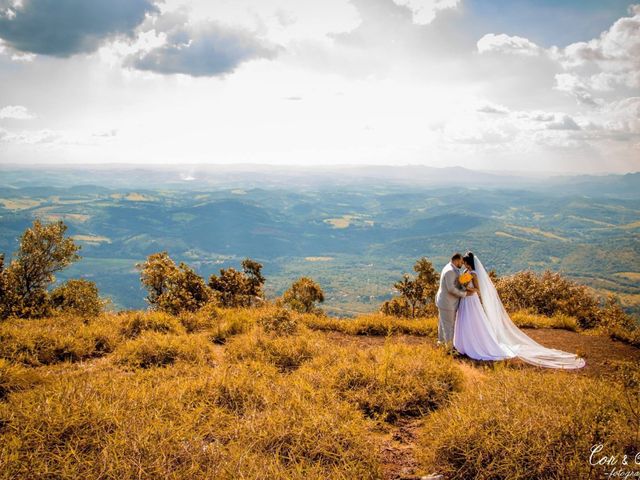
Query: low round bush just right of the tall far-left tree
{"type": "Point", "coordinates": [79, 297]}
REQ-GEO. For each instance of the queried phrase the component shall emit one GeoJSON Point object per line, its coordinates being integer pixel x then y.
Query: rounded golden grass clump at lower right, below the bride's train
{"type": "Point", "coordinates": [526, 424]}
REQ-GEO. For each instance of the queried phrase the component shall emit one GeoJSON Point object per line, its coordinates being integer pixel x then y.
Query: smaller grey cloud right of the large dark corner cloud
{"type": "Point", "coordinates": [207, 49]}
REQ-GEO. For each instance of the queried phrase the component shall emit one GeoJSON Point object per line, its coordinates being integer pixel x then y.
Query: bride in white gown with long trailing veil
{"type": "Point", "coordinates": [484, 331]}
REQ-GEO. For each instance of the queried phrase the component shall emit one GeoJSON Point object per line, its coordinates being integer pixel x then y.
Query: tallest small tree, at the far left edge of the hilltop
{"type": "Point", "coordinates": [44, 250]}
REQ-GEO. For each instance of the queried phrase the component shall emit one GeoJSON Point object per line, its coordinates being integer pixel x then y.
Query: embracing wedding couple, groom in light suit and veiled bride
{"type": "Point", "coordinates": [473, 319]}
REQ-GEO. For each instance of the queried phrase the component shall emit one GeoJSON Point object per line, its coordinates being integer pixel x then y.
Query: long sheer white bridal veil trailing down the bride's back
{"type": "Point", "coordinates": [511, 336]}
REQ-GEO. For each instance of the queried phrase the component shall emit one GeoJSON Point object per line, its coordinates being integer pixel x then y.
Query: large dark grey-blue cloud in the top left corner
{"type": "Point", "coordinates": [63, 28]}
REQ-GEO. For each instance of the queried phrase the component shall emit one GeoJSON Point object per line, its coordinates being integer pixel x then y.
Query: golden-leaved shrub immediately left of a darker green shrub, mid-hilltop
{"type": "Point", "coordinates": [172, 288]}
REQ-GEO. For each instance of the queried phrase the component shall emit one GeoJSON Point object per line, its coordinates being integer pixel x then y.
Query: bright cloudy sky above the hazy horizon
{"type": "Point", "coordinates": [546, 85]}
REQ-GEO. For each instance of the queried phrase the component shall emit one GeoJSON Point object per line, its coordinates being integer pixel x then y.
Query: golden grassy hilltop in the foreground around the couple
{"type": "Point", "coordinates": [255, 393]}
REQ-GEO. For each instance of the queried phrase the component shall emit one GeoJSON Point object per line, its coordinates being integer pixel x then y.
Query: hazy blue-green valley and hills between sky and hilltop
{"type": "Point", "coordinates": [354, 229]}
